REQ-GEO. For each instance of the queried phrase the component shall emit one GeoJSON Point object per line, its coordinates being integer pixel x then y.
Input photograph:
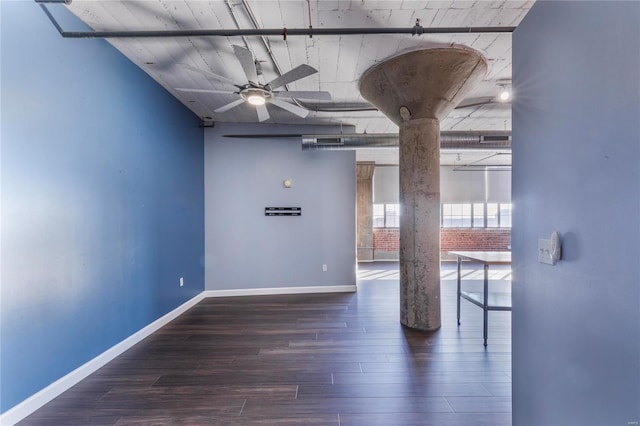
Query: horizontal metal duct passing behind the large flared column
{"type": "Point", "coordinates": [458, 140]}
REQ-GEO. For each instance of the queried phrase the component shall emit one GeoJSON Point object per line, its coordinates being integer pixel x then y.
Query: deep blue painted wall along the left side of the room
{"type": "Point", "coordinates": [102, 201]}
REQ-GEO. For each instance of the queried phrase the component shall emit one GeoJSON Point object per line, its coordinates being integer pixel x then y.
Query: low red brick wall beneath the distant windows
{"type": "Point", "coordinates": [386, 241]}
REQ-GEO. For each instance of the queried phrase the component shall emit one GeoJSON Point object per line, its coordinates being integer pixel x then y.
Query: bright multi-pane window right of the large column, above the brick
{"type": "Point", "coordinates": [476, 215]}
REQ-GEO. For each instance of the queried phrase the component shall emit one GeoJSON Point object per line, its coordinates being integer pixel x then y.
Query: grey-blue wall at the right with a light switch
{"type": "Point", "coordinates": [576, 169]}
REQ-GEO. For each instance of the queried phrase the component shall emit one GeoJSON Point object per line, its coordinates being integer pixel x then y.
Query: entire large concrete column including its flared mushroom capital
{"type": "Point", "coordinates": [416, 90]}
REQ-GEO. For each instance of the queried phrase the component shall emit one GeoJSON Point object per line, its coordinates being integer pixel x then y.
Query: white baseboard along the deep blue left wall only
{"type": "Point", "coordinates": [37, 400]}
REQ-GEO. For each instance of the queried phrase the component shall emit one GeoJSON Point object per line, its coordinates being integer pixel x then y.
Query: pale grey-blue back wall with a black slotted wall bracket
{"type": "Point", "coordinates": [243, 176]}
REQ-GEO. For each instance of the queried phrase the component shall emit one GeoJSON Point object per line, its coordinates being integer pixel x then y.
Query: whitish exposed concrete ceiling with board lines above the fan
{"type": "Point", "coordinates": [341, 60]}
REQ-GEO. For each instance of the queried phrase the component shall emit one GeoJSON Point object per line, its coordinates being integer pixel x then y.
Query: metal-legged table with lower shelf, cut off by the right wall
{"type": "Point", "coordinates": [488, 301]}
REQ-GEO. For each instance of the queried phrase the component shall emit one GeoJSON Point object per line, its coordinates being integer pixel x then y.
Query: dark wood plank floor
{"type": "Point", "coordinates": [322, 359]}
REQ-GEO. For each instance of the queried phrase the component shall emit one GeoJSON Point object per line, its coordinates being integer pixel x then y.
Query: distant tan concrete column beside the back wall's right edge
{"type": "Point", "coordinates": [364, 195]}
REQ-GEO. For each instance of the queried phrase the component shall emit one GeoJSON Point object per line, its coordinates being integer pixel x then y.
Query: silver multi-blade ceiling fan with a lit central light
{"type": "Point", "coordinates": [257, 94]}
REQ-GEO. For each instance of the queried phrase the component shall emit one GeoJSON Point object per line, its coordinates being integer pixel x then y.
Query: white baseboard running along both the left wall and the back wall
{"type": "Point", "coordinates": [37, 400]}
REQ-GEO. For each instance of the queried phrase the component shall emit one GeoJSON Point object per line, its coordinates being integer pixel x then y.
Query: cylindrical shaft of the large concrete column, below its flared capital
{"type": "Point", "coordinates": [420, 223]}
